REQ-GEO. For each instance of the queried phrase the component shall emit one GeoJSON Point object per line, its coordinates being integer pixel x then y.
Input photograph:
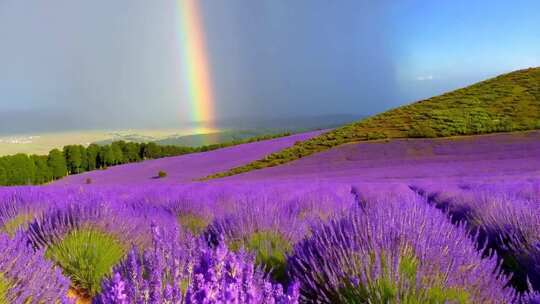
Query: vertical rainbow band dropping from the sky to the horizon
{"type": "Point", "coordinates": [195, 64]}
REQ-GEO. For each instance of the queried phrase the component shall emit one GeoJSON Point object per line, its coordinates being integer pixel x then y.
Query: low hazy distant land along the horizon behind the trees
{"type": "Point", "coordinates": [50, 119]}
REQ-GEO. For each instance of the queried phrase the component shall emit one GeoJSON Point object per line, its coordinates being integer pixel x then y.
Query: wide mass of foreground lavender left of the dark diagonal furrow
{"type": "Point", "coordinates": [255, 243]}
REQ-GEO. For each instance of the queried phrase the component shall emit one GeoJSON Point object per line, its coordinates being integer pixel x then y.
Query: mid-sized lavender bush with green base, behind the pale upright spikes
{"type": "Point", "coordinates": [268, 221]}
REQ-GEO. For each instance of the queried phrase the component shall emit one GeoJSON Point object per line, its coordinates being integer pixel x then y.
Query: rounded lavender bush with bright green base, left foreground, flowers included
{"type": "Point", "coordinates": [88, 239]}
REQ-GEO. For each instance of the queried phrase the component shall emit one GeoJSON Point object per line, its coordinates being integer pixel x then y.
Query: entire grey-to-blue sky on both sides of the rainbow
{"type": "Point", "coordinates": [68, 64]}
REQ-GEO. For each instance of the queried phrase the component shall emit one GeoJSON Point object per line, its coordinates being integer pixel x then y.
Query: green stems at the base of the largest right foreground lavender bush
{"type": "Point", "coordinates": [389, 287]}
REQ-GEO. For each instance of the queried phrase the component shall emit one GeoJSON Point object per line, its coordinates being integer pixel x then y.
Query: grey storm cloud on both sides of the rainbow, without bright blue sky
{"type": "Point", "coordinates": [94, 64]}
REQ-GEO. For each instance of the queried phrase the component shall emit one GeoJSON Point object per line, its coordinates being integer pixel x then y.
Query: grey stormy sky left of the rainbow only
{"type": "Point", "coordinates": [91, 63]}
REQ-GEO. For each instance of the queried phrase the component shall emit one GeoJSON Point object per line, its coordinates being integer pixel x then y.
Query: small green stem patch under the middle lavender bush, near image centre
{"type": "Point", "coordinates": [270, 250]}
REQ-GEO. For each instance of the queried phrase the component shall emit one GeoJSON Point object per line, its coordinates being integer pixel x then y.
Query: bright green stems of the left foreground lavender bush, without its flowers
{"type": "Point", "coordinates": [86, 256]}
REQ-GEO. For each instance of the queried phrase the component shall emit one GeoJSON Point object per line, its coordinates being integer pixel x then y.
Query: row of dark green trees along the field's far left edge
{"type": "Point", "coordinates": [23, 169]}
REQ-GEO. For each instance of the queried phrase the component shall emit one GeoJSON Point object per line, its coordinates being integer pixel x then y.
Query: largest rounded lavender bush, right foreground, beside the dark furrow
{"type": "Point", "coordinates": [395, 252]}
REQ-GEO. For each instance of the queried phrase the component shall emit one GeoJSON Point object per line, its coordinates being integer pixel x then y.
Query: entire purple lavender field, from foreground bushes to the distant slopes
{"type": "Point", "coordinates": [403, 221]}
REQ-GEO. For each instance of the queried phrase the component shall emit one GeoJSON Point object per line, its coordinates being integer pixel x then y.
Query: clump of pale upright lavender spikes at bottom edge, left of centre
{"type": "Point", "coordinates": [190, 272]}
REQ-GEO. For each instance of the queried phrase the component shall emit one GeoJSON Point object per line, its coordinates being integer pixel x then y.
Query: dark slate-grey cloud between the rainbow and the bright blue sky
{"type": "Point", "coordinates": [300, 57]}
